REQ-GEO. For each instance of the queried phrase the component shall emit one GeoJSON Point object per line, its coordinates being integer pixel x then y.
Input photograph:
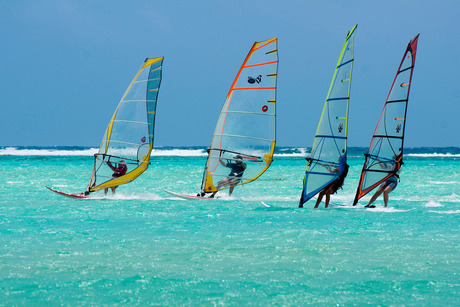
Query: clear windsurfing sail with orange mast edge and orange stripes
{"type": "Point", "coordinates": [246, 128]}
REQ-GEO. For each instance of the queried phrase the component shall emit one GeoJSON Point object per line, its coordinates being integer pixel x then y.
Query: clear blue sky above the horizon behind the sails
{"type": "Point", "coordinates": [65, 65]}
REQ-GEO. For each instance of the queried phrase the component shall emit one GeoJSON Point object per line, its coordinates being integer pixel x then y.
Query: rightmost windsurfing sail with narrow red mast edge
{"type": "Point", "coordinates": [385, 155]}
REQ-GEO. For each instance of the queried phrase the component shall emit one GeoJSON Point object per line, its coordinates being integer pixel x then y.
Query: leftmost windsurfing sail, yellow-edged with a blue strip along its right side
{"type": "Point", "coordinates": [125, 150]}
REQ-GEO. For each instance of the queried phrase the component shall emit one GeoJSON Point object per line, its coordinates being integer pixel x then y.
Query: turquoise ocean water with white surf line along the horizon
{"type": "Point", "coordinates": [145, 247]}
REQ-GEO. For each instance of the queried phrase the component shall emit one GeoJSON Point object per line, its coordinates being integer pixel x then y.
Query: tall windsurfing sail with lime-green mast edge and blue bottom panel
{"type": "Point", "coordinates": [328, 157]}
